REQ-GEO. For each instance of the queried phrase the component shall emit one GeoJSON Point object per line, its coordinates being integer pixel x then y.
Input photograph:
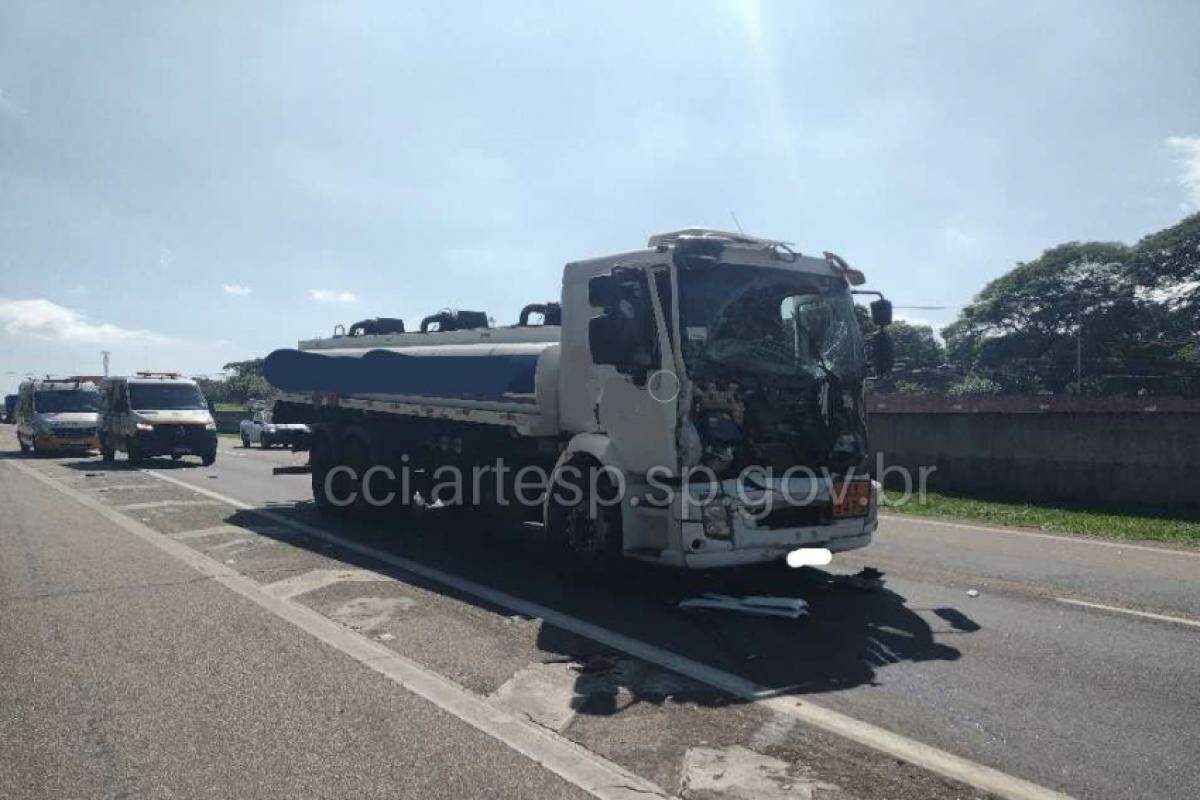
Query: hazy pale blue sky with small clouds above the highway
{"type": "Point", "coordinates": [187, 185]}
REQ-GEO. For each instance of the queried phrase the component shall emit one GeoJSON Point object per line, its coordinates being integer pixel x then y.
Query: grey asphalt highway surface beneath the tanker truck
{"type": "Point", "coordinates": [127, 676]}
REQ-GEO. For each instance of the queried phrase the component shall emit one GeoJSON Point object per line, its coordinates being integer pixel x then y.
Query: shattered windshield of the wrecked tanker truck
{"type": "Point", "coordinates": [772, 322]}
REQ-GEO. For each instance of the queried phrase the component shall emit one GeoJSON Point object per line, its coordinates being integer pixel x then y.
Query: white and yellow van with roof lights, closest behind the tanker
{"type": "Point", "coordinates": [157, 414]}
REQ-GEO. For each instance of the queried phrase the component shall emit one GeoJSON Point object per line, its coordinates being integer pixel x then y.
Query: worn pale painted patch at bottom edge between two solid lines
{"type": "Point", "coordinates": [741, 774]}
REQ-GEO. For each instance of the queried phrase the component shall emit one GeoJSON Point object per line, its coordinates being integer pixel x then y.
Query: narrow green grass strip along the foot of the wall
{"type": "Point", "coordinates": [1171, 526]}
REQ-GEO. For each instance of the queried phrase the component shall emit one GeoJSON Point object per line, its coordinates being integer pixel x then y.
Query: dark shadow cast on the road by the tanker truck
{"type": "Point", "coordinates": [849, 637]}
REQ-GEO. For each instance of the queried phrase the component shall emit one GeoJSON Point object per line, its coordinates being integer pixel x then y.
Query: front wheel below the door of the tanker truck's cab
{"type": "Point", "coordinates": [586, 537]}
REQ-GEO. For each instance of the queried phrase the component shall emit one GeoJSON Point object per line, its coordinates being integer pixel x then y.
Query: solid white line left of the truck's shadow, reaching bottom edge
{"type": "Point", "coordinates": [573, 763]}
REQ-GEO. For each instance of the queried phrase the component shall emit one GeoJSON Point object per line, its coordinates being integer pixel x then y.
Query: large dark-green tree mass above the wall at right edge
{"type": "Point", "coordinates": [1090, 317]}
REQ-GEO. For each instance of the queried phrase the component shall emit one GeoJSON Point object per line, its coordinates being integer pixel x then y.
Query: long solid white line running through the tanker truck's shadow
{"type": "Point", "coordinates": [980, 777]}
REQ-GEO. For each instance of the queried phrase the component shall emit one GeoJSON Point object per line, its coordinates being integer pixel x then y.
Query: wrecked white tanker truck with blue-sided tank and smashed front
{"type": "Point", "coordinates": [695, 405]}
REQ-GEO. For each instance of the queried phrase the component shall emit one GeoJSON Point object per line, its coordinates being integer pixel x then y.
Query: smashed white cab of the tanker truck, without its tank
{"type": "Point", "coordinates": [724, 377]}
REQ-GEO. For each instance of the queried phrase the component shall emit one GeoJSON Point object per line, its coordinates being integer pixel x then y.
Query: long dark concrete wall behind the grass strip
{"type": "Point", "coordinates": [1105, 452]}
